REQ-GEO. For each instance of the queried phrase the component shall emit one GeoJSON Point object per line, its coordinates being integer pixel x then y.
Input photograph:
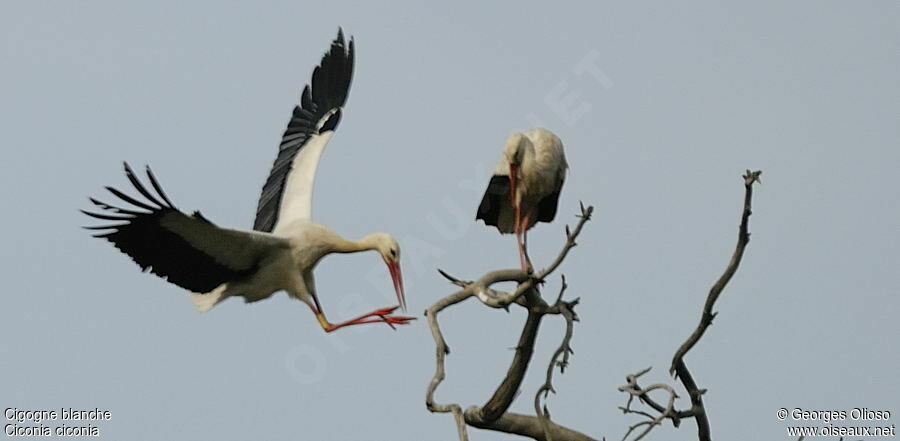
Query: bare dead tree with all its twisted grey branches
{"type": "Point", "coordinates": [494, 414]}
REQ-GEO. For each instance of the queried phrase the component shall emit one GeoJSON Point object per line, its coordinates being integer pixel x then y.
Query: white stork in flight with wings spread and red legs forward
{"type": "Point", "coordinates": [215, 263]}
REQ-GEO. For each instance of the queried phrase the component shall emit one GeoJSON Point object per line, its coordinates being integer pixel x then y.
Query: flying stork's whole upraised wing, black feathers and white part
{"type": "Point", "coordinates": [287, 194]}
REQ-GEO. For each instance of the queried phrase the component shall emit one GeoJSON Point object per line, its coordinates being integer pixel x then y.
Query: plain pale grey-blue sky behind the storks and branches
{"type": "Point", "coordinates": [682, 99]}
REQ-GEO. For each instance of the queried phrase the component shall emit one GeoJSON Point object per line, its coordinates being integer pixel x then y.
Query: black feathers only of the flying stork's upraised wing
{"type": "Point", "coordinates": [328, 91]}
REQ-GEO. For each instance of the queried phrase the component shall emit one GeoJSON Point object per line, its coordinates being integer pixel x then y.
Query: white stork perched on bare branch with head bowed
{"type": "Point", "coordinates": [525, 187]}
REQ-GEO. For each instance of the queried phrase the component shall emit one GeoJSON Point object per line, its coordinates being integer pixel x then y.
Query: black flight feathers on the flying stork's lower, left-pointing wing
{"type": "Point", "coordinates": [146, 239]}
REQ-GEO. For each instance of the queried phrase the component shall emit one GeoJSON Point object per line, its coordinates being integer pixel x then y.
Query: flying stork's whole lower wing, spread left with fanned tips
{"type": "Point", "coordinates": [189, 251]}
